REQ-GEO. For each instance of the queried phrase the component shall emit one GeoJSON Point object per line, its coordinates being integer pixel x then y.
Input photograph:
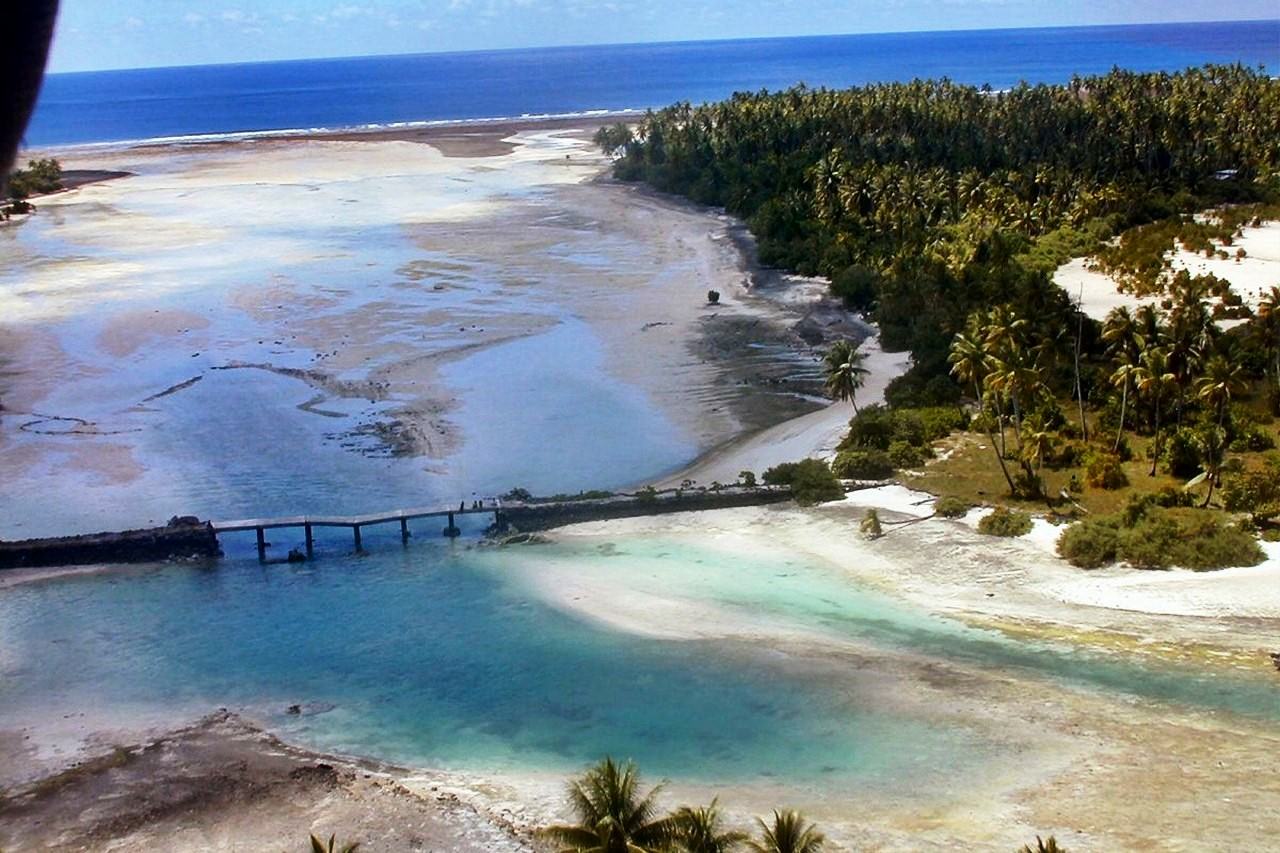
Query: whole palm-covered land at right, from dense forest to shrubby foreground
{"type": "Point", "coordinates": [943, 212]}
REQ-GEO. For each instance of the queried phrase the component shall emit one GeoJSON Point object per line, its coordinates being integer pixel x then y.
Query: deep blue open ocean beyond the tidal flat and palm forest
{"type": "Point", "coordinates": [307, 95]}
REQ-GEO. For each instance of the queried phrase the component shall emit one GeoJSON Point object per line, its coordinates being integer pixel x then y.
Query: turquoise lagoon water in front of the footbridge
{"type": "Point", "coordinates": [445, 655]}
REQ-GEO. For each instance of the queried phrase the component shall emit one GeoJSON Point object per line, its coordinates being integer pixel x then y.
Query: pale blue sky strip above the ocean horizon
{"type": "Point", "coordinates": [136, 34]}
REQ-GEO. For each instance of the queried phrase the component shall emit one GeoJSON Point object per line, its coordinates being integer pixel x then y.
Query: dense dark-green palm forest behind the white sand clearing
{"type": "Point", "coordinates": [929, 200]}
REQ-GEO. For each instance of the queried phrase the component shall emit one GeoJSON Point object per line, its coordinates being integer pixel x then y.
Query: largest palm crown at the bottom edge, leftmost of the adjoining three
{"type": "Point", "coordinates": [612, 815]}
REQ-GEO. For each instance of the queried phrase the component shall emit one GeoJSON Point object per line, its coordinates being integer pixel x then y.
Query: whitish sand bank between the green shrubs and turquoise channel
{"type": "Point", "coordinates": [947, 567]}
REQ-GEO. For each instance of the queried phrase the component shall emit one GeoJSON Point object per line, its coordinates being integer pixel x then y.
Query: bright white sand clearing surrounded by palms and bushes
{"type": "Point", "coordinates": [1250, 277]}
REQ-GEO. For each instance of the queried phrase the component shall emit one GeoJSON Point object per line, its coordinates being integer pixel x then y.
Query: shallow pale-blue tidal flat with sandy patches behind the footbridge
{"type": "Point", "coordinates": [316, 326]}
